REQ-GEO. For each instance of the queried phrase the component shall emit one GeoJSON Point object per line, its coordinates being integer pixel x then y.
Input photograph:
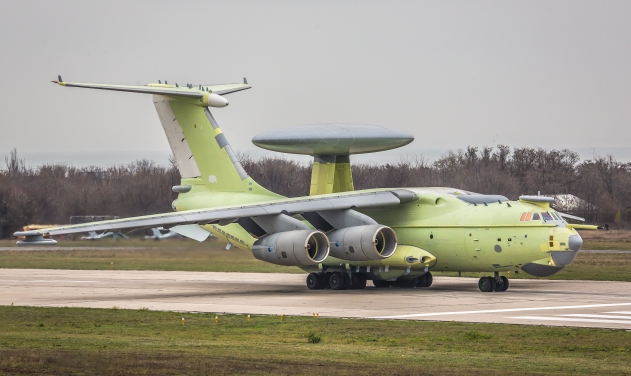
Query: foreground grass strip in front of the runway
{"type": "Point", "coordinates": [114, 342]}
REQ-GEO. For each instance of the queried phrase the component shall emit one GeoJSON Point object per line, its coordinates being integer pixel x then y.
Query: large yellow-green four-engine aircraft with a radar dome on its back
{"type": "Point", "coordinates": [343, 237]}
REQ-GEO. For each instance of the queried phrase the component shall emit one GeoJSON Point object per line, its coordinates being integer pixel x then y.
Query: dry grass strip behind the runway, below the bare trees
{"type": "Point", "coordinates": [210, 256]}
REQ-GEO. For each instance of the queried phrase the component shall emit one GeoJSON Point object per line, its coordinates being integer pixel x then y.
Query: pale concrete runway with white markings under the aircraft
{"type": "Point", "coordinates": [538, 302]}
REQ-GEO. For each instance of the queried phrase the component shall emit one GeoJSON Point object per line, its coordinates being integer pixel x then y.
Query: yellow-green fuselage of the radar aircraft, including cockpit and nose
{"type": "Point", "coordinates": [461, 236]}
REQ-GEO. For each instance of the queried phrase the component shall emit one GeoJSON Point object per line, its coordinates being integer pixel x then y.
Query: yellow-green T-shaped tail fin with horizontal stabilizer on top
{"type": "Point", "coordinates": [201, 150]}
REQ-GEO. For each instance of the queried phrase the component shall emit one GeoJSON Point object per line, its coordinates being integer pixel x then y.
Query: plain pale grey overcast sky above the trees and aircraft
{"type": "Point", "coordinates": [554, 74]}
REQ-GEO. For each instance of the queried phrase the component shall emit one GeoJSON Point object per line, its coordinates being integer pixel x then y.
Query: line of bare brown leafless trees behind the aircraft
{"type": "Point", "coordinates": [51, 193]}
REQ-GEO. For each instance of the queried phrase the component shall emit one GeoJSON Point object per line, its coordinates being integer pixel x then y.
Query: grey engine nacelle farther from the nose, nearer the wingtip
{"type": "Point", "coordinates": [292, 248]}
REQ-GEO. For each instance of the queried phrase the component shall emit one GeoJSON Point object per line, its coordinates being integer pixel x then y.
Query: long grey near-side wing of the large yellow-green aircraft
{"type": "Point", "coordinates": [230, 214]}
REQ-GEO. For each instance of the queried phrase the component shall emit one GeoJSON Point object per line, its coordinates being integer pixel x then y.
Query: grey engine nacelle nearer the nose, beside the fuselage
{"type": "Point", "coordinates": [363, 243]}
